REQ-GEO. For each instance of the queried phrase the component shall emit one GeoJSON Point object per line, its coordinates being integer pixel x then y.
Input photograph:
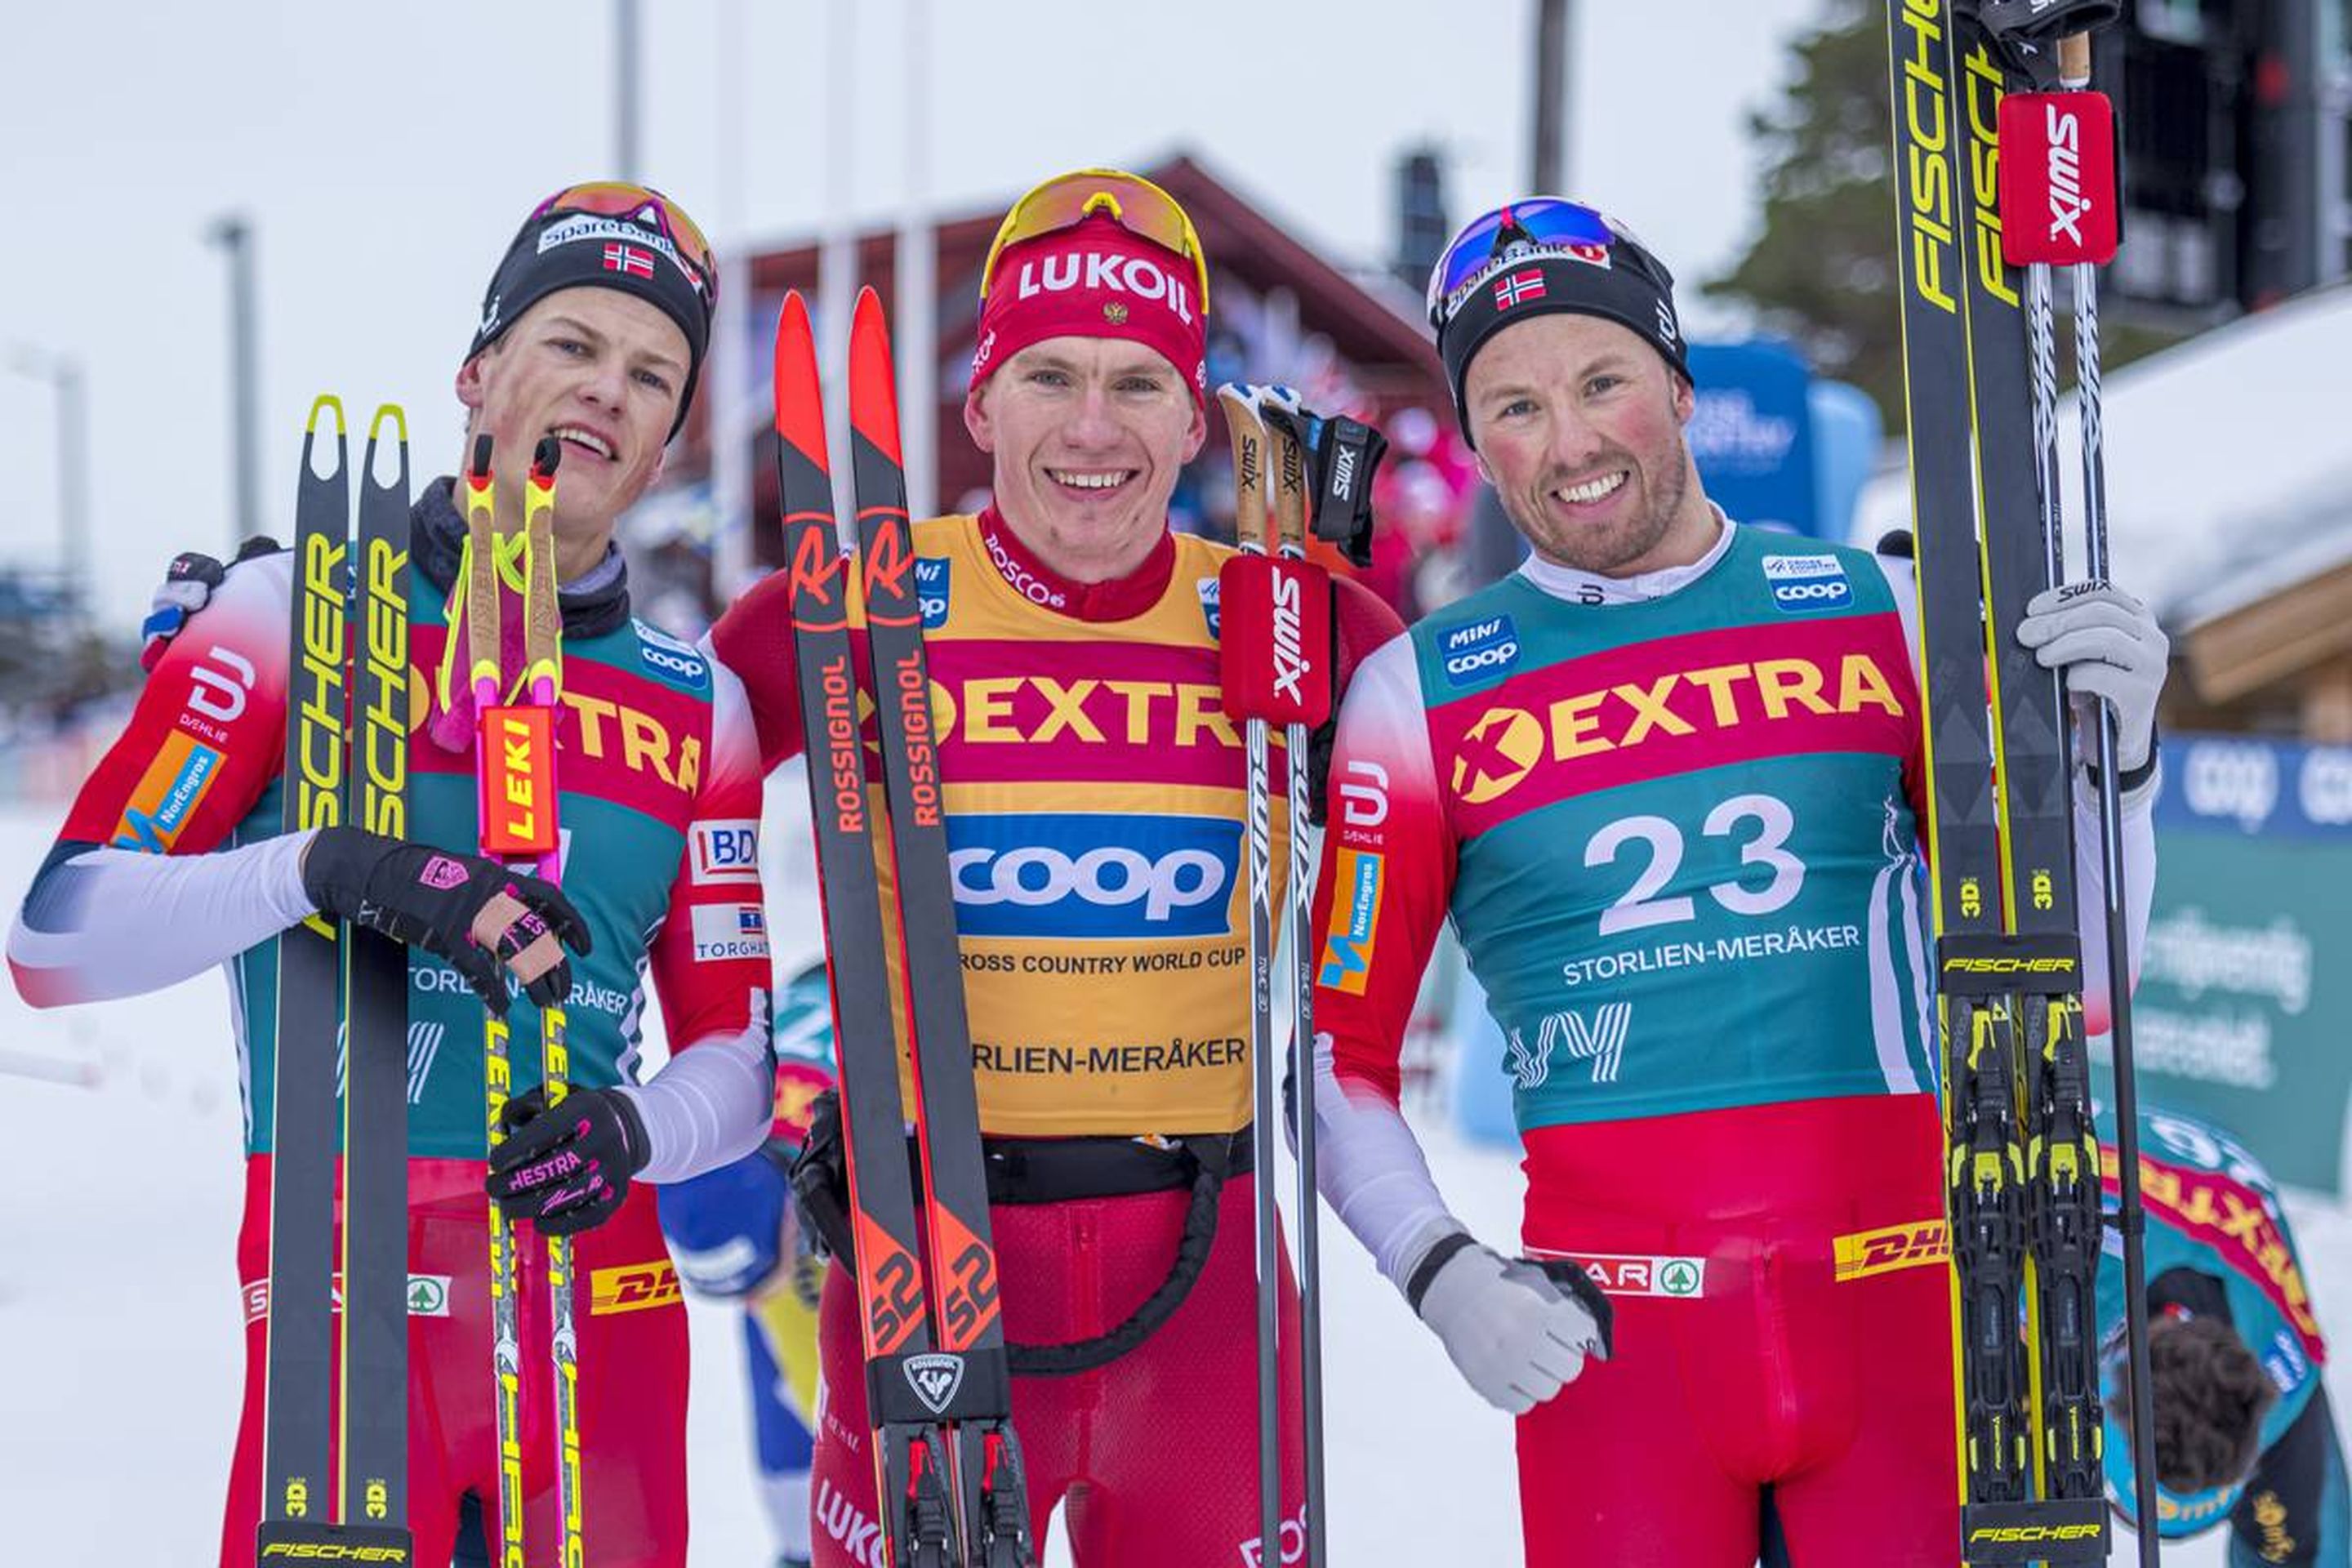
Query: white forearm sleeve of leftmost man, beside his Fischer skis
{"type": "Point", "coordinates": [116, 923]}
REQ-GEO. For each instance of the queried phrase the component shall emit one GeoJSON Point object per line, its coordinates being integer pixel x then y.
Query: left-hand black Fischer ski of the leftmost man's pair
{"type": "Point", "coordinates": [295, 1426]}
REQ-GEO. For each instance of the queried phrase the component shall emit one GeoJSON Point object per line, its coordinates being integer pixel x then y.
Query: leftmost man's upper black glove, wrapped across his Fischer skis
{"type": "Point", "coordinates": [462, 909]}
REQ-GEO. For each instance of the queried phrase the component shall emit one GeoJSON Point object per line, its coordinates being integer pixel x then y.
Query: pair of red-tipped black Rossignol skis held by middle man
{"type": "Point", "coordinates": [937, 1374]}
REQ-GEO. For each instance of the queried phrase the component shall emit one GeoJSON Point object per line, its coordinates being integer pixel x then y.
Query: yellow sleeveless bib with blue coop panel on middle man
{"type": "Point", "coordinates": [1097, 847]}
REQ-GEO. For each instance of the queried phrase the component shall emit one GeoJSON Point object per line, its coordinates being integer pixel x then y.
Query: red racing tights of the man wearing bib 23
{"type": "Point", "coordinates": [1784, 1339]}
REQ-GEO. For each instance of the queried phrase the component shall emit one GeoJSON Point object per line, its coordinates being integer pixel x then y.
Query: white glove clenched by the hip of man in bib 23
{"type": "Point", "coordinates": [1516, 1329]}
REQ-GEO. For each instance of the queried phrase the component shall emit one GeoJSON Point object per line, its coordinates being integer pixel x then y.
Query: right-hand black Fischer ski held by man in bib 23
{"type": "Point", "coordinates": [2033, 756]}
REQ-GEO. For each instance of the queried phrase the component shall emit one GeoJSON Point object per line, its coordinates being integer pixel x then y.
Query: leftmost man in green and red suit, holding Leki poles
{"type": "Point", "coordinates": [173, 862]}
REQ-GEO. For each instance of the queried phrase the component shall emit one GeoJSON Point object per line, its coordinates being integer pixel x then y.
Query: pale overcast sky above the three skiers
{"type": "Point", "coordinates": [387, 154]}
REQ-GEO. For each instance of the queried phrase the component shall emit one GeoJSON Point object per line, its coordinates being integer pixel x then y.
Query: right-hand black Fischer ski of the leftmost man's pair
{"type": "Point", "coordinates": [373, 1459]}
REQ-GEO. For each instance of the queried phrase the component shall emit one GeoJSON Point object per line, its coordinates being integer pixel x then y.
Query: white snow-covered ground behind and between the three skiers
{"type": "Point", "coordinates": [119, 1308]}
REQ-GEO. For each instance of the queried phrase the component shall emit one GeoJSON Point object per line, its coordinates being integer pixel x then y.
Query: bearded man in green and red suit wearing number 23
{"type": "Point", "coordinates": [1666, 784]}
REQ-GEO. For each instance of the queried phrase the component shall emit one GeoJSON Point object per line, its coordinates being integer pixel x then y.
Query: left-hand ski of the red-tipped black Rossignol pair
{"type": "Point", "coordinates": [895, 1315]}
